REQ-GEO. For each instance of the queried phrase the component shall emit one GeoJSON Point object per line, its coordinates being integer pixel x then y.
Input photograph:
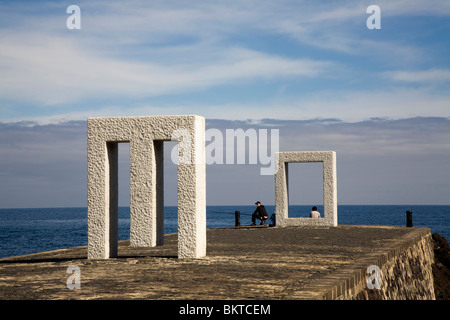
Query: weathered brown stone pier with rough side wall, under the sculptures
{"type": "Point", "coordinates": [242, 263]}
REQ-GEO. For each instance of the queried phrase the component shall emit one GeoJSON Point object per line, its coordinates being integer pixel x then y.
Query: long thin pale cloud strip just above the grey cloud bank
{"type": "Point", "coordinates": [347, 106]}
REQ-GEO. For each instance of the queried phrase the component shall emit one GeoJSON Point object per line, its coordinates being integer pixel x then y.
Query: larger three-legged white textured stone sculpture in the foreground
{"type": "Point", "coordinates": [146, 136]}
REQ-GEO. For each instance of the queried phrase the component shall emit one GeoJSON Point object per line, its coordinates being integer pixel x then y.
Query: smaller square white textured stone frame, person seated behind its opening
{"type": "Point", "coordinates": [329, 188]}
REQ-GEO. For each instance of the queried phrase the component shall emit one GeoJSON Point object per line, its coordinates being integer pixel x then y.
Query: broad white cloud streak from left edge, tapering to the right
{"type": "Point", "coordinates": [55, 70]}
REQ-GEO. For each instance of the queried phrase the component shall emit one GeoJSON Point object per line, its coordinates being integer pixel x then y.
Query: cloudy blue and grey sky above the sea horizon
{"type": "Point", "coordinates": [313, 70]}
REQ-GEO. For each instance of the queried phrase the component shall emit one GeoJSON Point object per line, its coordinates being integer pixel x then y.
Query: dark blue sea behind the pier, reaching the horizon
{"type": "Point", "coordinates": [24, 231]}
